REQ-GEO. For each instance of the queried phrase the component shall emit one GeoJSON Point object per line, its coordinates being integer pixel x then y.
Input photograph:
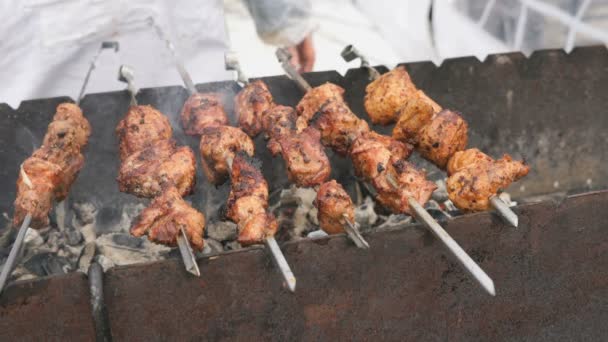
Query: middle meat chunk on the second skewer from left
{"type": "Point", "coordinates": [145, 172]}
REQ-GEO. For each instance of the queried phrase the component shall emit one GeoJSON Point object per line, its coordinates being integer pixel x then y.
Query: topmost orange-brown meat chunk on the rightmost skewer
{"type": "Point", "coordinates": [387, 94]}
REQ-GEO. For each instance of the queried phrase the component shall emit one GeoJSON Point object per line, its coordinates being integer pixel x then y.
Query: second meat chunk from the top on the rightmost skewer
{"type": "Point", "coordinates": [415, 113]}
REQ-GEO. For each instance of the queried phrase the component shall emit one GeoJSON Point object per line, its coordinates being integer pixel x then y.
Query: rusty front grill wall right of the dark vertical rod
{"type": "Point", "coordinates": [548, 273]}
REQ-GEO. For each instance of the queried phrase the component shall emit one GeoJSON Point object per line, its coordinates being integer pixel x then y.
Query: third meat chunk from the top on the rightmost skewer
{"type": "Point", "coordinates": [442, 137]}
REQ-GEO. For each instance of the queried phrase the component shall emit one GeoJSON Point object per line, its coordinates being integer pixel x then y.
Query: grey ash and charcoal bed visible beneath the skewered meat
{"type": "Point", "coordinates": [75, 239]}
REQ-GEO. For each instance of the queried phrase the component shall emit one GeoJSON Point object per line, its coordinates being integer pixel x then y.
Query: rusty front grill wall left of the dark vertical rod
{"type": "Point", "coordinates": [50, 309]}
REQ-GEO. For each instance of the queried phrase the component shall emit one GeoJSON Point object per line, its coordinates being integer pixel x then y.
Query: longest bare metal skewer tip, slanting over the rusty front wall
{"type": "Point", "coordinates": [465, 260]}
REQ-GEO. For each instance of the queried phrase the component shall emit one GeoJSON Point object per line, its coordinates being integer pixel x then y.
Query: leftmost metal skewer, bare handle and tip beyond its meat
{"type": "Point", "coordinates": [61, 207]}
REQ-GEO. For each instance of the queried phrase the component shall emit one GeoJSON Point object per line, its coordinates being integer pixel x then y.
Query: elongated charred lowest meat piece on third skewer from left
{"type": "Point", "coordinates": [248, 202]}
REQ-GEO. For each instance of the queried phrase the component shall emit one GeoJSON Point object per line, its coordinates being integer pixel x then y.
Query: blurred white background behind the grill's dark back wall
{"type": "Point", "coordinates": [48, 45]}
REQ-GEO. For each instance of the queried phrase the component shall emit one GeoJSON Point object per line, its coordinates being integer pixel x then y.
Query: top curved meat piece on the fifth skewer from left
{"type": "Point", "coordinates": [314, 99]}
